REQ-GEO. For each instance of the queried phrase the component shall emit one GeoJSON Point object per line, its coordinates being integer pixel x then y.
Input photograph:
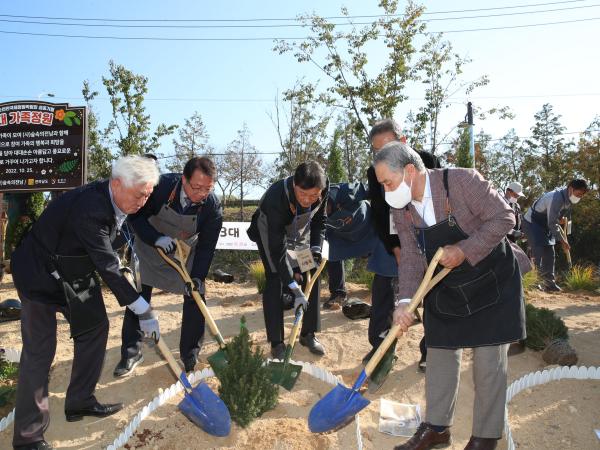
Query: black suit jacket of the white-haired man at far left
{"type": "Point", "coordinates": [79, 222]}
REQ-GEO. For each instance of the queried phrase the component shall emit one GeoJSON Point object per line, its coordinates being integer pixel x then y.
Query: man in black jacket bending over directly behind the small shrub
{"type": "Point", "coordinates": [288, 226]}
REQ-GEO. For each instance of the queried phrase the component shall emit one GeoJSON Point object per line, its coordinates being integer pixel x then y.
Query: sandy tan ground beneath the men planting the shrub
{"type": "Point", "coordinates": [559, 415]}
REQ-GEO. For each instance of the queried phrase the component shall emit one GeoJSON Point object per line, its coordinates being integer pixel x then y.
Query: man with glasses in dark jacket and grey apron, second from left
{"type": "Point", "coordinates": [184, 207]}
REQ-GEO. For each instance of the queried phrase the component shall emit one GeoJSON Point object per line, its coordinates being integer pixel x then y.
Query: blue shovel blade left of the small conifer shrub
{"type": "Point", "coordinates": [205, 409]}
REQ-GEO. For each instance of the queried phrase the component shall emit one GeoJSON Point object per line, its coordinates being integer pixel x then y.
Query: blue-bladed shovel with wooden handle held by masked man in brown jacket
{"type": "Point", "coordinates": [341, 404]}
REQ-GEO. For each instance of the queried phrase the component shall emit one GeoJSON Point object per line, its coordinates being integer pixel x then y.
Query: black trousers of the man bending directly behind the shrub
{"type": "Point", "coordinates": [273, 305]}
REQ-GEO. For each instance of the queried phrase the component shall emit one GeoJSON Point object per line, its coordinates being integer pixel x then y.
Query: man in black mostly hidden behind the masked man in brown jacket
{"type": "Point", "coordinates": [381, 133]}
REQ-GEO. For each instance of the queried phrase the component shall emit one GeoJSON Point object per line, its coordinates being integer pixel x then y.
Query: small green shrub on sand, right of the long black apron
{"type": "Point", "coordinates": [543, 327]}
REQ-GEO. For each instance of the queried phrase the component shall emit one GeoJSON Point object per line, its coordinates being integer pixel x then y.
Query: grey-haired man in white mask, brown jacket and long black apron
{"type": "Point", "coordinates": [478, 305]}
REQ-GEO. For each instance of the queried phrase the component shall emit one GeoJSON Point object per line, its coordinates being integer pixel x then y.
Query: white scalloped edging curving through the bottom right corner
{"type": "Point", "coordinates": [542, 377]}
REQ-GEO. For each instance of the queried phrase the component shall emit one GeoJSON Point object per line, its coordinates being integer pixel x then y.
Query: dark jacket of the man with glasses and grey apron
{"type": "Point", "coordinates": [209, 221]}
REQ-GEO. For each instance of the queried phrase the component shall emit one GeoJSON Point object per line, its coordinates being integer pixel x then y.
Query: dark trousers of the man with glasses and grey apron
{"type": "Point", "coordinates": [192, 329]}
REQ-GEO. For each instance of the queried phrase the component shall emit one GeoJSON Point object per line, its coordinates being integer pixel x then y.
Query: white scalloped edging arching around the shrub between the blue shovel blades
{"type": "Point", "coordinates": [176, 388]}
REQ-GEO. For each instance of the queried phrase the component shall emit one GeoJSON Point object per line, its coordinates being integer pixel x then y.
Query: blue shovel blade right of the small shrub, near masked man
{"type": "Point", "coordinates": [337, 408]}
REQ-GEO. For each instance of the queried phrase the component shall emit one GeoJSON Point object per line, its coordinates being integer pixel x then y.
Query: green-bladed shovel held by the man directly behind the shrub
{"type": "Point", "coordinates": [284, 373]}
